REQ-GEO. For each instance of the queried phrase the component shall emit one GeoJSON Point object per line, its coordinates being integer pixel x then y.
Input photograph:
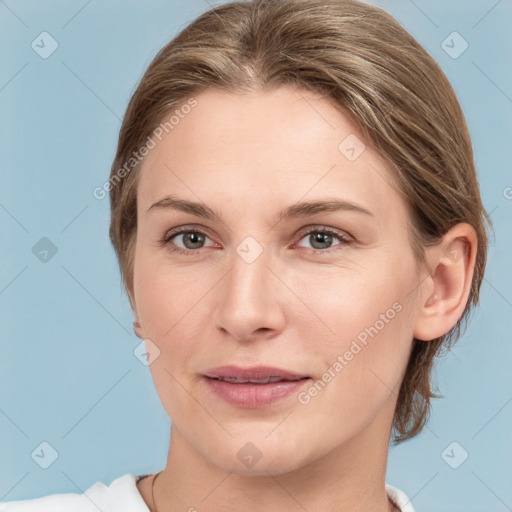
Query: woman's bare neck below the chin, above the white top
{"type": "Point", "coordinates": [348, 478]}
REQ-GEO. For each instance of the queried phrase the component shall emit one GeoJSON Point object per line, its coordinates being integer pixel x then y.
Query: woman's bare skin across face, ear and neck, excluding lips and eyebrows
{"type": "Point", "coordinates": [248, 157]}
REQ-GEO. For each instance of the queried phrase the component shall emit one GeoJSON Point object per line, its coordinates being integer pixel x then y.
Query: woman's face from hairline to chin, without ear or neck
{"type": "Point", "coordinates": [257, 288]}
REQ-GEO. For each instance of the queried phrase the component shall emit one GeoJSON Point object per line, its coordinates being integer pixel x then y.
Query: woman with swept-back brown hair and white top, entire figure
{"type": "Point", "coordinates": [299, 228]}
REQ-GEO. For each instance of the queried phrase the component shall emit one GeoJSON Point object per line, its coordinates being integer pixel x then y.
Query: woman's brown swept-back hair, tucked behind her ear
{"type": "Point", "coordinates": [361, 59]}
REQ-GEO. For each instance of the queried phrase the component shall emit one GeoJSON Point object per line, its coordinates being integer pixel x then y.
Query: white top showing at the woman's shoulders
{"type": "Point", "coordinates": [122, 495]}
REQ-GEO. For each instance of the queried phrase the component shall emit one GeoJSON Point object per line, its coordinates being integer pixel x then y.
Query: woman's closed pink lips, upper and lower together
{"type": "Point", "coordinates": [253, 387]}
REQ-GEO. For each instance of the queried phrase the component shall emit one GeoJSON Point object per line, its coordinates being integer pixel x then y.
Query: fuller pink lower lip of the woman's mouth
{"type": "Point", "coordinates": [254, 395]}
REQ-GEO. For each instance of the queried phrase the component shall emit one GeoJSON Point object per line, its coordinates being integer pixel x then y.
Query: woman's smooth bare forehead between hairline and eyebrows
{"type": "Point", "coordinates": [284, 144]}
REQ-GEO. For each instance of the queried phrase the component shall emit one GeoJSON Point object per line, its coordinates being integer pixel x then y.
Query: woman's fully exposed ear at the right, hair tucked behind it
{"type": "Point", "coordinates": [444, 293]}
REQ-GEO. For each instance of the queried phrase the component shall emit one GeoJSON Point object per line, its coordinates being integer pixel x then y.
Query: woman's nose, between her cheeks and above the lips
{"type": "Point", "coordinates": [250, 300]}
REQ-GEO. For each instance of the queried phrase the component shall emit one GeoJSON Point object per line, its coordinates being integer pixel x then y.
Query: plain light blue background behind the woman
{"type": "Point", "coordinates": [68, 375]}
